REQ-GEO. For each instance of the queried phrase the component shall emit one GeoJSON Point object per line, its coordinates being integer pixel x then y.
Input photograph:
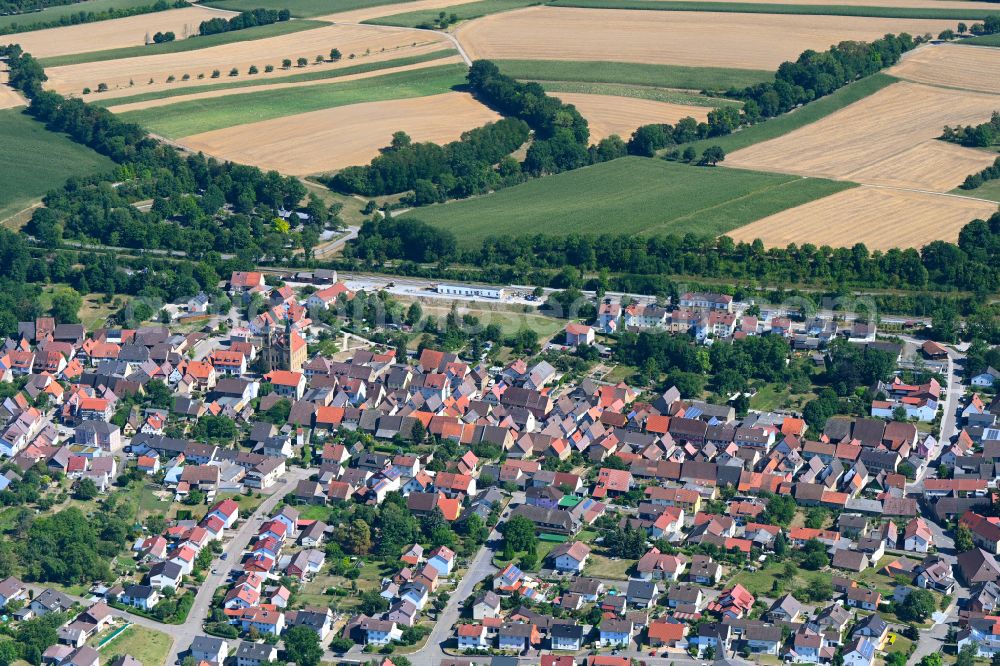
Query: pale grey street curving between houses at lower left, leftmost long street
{"type": "Point", "coordinates": [183, 634]}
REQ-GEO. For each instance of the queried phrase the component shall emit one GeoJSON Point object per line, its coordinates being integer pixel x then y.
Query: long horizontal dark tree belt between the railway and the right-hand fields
{"type": "Point", "coordinates": [973, 264]}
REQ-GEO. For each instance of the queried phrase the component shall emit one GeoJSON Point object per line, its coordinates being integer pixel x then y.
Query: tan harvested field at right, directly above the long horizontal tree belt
{"type": "Point", "coordinates": [878, 217]}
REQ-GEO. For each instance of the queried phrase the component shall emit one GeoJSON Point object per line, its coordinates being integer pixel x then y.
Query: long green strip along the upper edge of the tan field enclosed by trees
{"type": "Point", "coordinates": [204, 115]}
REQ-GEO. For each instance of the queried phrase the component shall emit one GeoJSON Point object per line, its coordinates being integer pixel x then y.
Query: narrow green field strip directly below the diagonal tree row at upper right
{"type": "Point", "coordinates": [800, 117]}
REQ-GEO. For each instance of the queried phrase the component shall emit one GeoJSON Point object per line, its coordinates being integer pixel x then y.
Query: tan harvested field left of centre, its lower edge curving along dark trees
{"type": "Point", "coordinates": [344, 136]}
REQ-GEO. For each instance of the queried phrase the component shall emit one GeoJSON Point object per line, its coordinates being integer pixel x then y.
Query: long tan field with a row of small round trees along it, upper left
{"type": "Point", "coordinates": [367, 43]}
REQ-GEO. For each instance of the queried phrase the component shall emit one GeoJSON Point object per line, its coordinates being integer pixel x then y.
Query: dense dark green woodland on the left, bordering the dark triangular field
{"type": "Point", "coordinates": [200, 205]}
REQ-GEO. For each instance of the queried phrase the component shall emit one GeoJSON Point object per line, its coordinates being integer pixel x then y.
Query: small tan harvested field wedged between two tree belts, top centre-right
{"type": "Point", "coordinates": [609, 115]}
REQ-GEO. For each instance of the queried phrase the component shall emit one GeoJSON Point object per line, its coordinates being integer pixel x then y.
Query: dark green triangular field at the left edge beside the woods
{"type": "Point", "coordinates": [35, 160]}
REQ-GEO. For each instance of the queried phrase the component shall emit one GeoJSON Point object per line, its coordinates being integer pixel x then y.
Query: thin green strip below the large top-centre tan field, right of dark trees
{"type": "Point", "coordinates": [661, 76]}
